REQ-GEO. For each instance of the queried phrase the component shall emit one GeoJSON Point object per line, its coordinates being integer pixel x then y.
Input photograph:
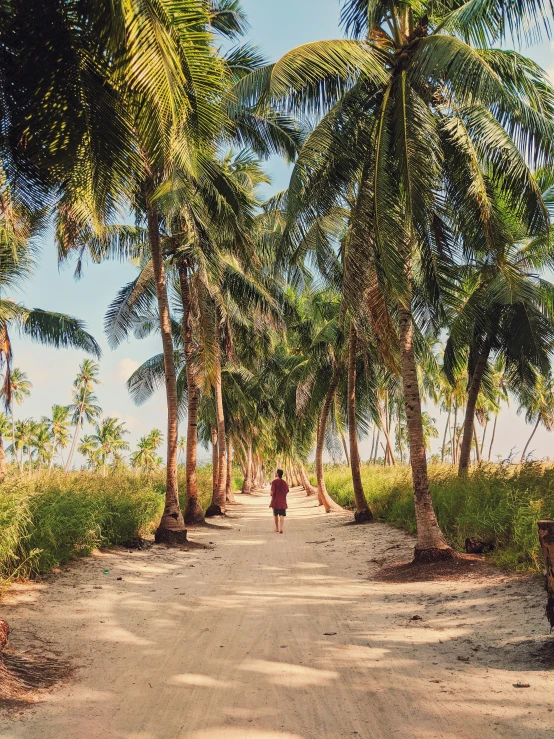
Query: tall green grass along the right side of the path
{"type": "Point", "coordinates": [494, 504]}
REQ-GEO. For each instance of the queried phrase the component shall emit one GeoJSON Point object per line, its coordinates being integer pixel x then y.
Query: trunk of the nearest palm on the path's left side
{"type": "Point", "coordinates": [172, 525]}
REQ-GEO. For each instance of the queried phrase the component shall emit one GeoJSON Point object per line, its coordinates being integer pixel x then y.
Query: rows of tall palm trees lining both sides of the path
{"type": "Point", "coordinates": [418, 207]}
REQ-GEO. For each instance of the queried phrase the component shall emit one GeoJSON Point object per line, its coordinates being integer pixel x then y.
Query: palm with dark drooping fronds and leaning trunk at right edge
{"type": "Point", "coordinates": [505, 311]}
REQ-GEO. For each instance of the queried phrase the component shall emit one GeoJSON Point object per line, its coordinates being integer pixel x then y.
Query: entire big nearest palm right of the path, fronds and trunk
{"type": "Point", "coordinates": [390, 126]}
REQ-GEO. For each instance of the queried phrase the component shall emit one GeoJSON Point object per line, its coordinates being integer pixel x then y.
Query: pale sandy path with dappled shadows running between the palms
{"type": "Point", "coordinates": [229, 643]}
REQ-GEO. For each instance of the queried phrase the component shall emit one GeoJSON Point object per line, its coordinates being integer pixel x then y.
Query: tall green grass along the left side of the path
{"type": "Point", "coordinates": [49, 519]}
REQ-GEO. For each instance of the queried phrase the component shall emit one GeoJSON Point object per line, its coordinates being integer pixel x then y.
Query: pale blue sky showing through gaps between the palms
{"type": "Point", "coordinates": [276, 26]}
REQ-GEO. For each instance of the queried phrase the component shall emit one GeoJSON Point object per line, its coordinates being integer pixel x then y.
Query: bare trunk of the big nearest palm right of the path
{"type": "Point", "coordinates": [431, 543]}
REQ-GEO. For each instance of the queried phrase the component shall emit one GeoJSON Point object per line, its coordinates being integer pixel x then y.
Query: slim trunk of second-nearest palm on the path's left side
{"type": "Point", "coordinates": [193, 511]}
